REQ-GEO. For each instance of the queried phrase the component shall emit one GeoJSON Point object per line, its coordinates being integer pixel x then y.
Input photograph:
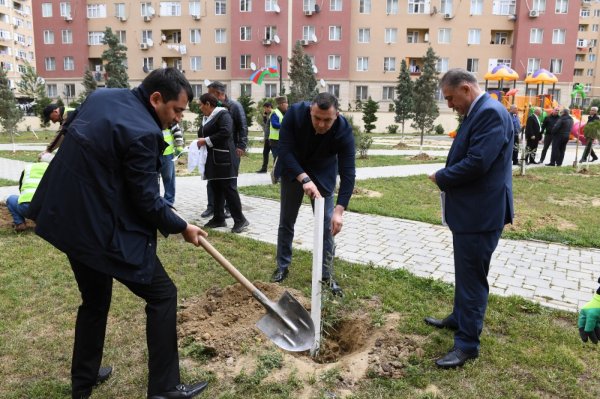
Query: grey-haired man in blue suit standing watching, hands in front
{"type": "Point", "coordinates": [477, 182]}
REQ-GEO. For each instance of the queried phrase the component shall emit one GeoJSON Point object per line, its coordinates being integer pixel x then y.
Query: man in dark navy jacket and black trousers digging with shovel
{"type": "Point", "coordinates": [99, 202]}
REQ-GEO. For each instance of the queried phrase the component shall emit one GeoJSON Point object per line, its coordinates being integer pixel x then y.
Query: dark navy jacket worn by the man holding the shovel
{"type": "Point", "coordinates": [99, 200]}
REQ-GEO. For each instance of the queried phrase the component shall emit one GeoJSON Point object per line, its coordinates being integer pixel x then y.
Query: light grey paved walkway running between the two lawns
{"type": "Point", "coordinates": [554, 275]}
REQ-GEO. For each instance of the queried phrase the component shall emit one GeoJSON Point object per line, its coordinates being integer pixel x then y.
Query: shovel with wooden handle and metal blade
{"type": "Point", "coordinates": [286, 323]}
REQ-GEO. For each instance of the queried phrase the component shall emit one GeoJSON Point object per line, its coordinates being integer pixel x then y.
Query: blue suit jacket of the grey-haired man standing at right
{"type": "Point", "coordinates": [477, 178]}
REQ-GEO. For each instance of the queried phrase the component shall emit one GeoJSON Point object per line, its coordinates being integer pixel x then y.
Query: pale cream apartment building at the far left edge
{"type": "Point", "coordinates": [16, 38]}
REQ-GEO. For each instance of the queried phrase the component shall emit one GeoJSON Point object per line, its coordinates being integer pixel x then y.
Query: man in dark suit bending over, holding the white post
{"type": "Point", "coordinates": [316, 144]}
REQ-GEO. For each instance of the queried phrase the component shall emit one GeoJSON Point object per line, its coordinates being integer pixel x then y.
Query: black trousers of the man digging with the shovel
{"type": "Point", "coordinates": [90, 328]}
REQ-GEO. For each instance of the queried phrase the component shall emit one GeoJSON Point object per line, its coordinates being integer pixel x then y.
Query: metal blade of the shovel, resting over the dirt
{"type": "Point", "coordinates": [288, 324]}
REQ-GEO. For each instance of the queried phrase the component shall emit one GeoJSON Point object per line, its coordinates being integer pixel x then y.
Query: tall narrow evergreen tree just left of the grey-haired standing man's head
{"type": "Point", "coordinates": [425, 105]}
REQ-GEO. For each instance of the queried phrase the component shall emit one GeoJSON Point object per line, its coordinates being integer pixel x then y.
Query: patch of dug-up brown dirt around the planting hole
{"type": "Point", "coordinates": [223, 321]}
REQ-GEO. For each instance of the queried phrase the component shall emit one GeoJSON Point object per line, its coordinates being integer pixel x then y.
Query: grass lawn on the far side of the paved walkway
{"type": "Point", "coordinates": [551, 204]}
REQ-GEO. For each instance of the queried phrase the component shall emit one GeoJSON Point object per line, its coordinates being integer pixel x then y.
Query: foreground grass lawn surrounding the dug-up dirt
{"type": "Point", "coordinates": [527, 351]}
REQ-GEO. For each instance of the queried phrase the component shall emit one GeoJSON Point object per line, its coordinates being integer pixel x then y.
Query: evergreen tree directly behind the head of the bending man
{"type": "Point", "coordinates": [303, 85]}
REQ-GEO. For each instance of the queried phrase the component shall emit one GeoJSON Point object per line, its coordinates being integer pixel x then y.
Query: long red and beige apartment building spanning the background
{"type": "Point", "coordinates": [356, 45]}
